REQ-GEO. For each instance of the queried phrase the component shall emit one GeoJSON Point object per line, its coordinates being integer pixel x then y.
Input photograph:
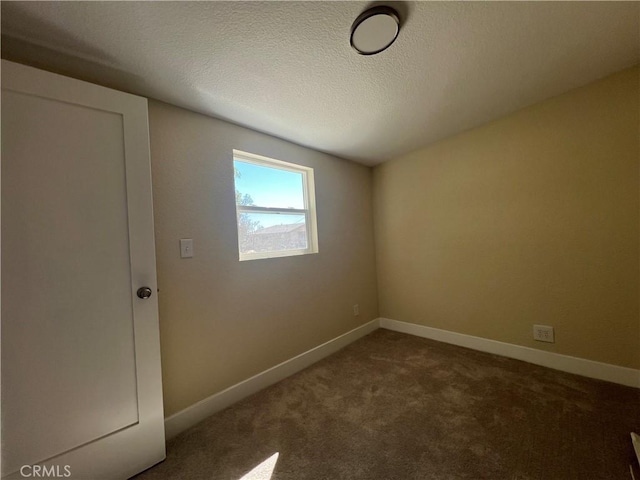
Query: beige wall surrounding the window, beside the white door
{"type": "Point", "coordinates": [222, 320]}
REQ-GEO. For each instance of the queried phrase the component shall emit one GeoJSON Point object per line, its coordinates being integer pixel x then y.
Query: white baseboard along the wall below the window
{"type": "Point", "coordinates": [180, 421]}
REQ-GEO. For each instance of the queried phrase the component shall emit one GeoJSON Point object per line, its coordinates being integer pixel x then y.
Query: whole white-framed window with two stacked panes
{"type": "Point", "coordinates": [275, 207]}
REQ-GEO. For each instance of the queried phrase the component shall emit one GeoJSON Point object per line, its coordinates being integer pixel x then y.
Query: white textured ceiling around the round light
{"type": "Point", "coordinates": [286, 68]}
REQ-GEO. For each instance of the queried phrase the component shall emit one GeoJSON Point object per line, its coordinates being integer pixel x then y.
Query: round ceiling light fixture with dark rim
{"type": "Point", "coordinates": [375, 30]}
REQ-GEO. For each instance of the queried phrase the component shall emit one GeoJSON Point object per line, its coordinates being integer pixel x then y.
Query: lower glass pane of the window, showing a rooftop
{"type": "Point", "coordinates": [271, 232]}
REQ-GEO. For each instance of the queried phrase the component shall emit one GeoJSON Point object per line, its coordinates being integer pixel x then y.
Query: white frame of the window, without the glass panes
{"type": "Point", "coordinates": [309, 210]}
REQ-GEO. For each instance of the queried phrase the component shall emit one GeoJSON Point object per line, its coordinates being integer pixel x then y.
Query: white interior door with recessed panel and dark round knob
{"type": "Point", "coordinates": [81, 380]}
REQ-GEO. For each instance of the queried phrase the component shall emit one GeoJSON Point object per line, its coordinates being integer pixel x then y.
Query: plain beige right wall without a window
{"type": "Point", "coordinates": [533, 218]}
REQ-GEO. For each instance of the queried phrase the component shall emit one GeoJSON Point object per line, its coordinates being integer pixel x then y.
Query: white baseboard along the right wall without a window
{"type": "Point", "coordinates": [565, 363]}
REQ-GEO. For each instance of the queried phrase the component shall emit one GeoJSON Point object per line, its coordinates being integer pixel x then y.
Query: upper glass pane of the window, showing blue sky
{"type": "Point", "coordinates": [268, 187]}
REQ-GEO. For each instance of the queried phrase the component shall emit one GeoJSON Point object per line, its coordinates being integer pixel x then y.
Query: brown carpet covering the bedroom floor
{"type": "Point", "coordinates": [394, 406]}
